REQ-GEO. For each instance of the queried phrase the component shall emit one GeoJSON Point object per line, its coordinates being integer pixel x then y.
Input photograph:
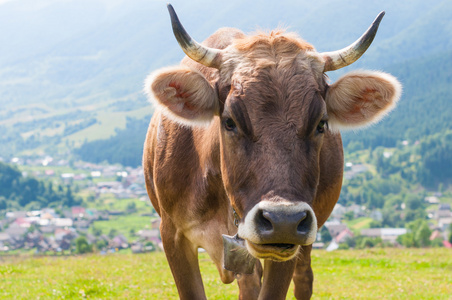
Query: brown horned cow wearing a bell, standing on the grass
{"type": "Point", "coordinates": [244, 149]}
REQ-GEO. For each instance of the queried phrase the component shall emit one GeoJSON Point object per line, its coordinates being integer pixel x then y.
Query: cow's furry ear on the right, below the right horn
{"type": "Point", "coordinates": [361, 98]}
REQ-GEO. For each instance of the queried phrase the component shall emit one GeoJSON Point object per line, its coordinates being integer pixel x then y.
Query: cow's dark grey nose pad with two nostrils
{"type": "Point", "coordinates": [275, 225]}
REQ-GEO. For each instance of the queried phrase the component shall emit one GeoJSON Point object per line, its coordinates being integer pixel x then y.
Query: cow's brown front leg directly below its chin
{"type": "Point", "coordinates": [277, 277]}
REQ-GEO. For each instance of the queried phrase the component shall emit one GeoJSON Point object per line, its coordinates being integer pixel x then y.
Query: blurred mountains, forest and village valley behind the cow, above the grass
{"type": "Point", "coordinates": [73, 116]}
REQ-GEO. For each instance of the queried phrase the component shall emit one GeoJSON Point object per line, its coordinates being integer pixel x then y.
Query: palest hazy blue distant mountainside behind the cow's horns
{"type": "Point", "coordinates": [73, 49]}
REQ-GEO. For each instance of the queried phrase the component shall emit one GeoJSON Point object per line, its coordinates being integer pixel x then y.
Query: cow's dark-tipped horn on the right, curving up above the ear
{"type": "Point", "coordinates": [344, 57]}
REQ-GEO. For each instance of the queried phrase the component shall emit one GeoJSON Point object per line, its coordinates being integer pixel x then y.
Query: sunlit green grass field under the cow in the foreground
{"type": "Point", "coordinates": [347, 274]}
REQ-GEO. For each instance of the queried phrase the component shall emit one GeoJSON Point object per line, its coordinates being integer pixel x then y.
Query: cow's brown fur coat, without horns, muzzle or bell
{"type": "Point", "coordinates": [273, 87]}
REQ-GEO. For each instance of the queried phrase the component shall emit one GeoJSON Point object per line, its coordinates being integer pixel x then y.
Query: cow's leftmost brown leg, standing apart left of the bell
{"type": "Point", "coordinates": [182, 257]}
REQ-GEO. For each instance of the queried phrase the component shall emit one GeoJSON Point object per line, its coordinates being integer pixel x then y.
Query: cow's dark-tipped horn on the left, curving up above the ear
{"type": "Point", "coordinates": [209, 57]}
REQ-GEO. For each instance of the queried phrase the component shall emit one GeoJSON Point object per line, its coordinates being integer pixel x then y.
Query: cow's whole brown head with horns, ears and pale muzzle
{"type": "Point", "coordinates": [275, 110]}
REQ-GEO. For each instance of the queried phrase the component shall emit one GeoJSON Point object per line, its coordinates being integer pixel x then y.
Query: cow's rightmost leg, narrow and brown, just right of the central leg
{"type": "Point", "coordinates": [303, 276]}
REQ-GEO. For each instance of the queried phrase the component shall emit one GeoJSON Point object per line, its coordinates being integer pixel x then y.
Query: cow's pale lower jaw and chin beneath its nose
{"type": "Point", "coordinates": [276, 252]}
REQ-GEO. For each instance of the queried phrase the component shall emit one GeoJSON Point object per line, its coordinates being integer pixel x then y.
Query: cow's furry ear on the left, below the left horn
{"type": "Point", "coordinates": [184, 94]}
